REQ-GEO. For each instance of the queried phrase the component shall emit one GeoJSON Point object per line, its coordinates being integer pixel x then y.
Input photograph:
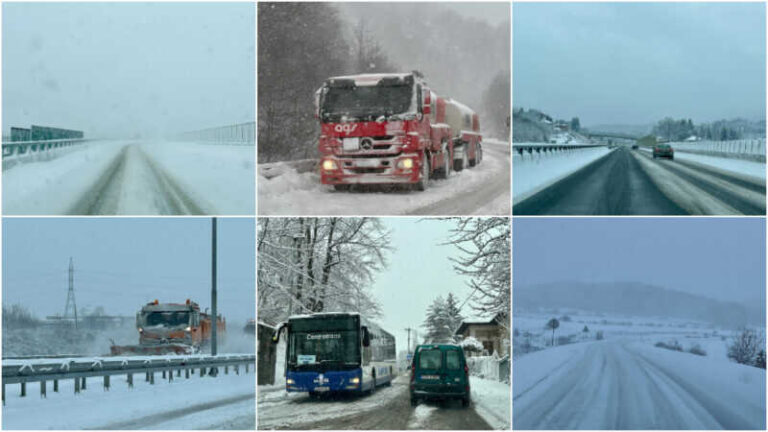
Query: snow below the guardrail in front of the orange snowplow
{"type": "Point", "coordinates": [137, 407]}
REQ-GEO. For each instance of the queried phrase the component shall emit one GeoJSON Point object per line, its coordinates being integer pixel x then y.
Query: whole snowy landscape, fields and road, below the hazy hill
{"type": "Point", "coordinates": [625, 381]}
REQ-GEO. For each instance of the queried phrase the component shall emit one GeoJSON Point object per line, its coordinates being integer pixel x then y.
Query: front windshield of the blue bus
{"type": "Point", "coordinates": [331, 349]}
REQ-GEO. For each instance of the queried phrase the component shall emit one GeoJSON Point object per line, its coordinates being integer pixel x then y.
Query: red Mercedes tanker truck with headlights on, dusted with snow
{"type": "Point", "coordinates": [392, 129]}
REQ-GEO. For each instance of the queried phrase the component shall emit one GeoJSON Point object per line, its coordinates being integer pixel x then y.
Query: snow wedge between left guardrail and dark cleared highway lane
{"type": "Point", "coordinates": [532, 173]}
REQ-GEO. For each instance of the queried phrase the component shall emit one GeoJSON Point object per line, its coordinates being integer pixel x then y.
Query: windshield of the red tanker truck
{"type": "Point", "coordinates": [365, 102]}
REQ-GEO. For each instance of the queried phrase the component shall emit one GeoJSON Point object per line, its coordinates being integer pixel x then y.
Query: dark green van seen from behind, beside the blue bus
{"type": "Point", "coordinates": [439, 371]}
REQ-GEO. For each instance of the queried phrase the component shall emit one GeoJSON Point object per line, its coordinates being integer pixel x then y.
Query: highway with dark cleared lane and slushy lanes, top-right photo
{"type": "Point", "coordinates": [631, 182]}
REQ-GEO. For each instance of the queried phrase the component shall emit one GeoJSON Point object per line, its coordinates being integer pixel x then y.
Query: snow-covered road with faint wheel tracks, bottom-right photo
{"type": "Point", "coordinates": [628, 385]}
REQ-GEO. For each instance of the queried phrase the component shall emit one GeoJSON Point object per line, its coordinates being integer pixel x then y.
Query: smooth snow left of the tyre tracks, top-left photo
{"type": "Point", "coordinates": [53, 186]}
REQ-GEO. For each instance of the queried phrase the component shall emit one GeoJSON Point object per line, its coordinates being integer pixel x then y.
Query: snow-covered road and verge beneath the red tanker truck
{"type": "Point", "coordinates": [482, 190]}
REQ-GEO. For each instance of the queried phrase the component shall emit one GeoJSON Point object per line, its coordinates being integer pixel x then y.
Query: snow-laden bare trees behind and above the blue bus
{"type": "Point", "coordinates": [311, 265]}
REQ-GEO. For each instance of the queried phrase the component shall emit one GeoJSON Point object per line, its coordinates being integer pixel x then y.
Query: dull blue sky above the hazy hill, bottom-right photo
{"type": "Point", "coordinates": [720, 258]}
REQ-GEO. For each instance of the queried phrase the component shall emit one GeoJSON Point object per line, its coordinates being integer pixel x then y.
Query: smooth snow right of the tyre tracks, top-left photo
{"type": "Point", "coordinates": [220, 178]}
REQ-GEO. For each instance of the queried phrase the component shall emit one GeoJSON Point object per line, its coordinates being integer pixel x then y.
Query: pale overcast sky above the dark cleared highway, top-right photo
{"type": "Point", "coordinates": [635, 63]}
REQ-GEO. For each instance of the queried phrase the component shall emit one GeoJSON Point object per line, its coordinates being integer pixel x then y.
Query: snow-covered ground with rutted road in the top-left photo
{"type": "Point", "coordinates": [216, 179]}
